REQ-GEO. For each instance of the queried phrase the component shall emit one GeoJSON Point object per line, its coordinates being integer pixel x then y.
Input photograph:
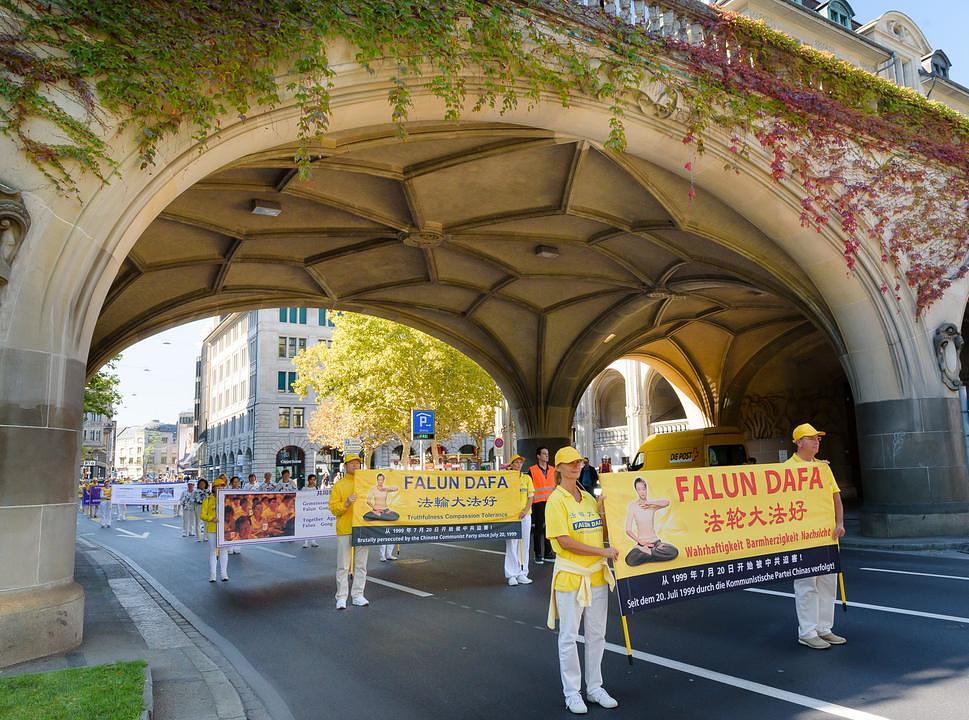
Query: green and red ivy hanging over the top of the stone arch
{"type": "Point", "coordinates": [877, 159]}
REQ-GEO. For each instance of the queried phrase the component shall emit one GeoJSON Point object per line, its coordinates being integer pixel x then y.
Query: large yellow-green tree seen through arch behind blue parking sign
{"type": "Point", "coordinates": [377, 371]}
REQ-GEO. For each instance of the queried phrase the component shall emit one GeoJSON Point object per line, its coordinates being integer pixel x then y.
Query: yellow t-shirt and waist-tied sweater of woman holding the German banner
{"type": "Point", "coordinates": [580, 521]}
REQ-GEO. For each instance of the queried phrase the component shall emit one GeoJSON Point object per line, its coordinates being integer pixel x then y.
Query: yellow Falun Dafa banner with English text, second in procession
{"type": "Point", "coordinates": [402, 506]}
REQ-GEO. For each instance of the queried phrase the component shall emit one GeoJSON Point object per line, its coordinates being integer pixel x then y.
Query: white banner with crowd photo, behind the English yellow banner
{"type": "Point", "coordinates": [247, 518]}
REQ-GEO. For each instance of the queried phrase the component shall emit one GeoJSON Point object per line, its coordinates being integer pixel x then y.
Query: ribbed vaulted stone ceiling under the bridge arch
{"type": "Point", "coordinates": [446, 231]}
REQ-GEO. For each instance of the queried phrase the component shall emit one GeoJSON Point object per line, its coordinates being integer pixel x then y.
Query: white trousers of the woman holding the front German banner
{"type": "Point", "coordinates": [570, 615]}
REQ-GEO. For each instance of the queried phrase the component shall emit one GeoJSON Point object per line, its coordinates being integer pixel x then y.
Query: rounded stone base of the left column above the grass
{"type": "Point", "coordinates": [40, 621]}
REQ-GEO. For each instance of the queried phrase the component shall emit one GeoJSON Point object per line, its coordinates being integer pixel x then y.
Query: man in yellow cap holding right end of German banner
{"type": "Point", "coordinates": [814, 596]}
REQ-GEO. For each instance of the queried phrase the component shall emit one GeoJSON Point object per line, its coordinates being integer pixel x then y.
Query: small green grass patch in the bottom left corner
{"type": "Point", "coordinates": [103, 692]}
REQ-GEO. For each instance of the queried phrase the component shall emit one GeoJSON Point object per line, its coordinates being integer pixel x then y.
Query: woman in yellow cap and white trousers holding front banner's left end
{"type": "Point", "coordinates": [581, 580]}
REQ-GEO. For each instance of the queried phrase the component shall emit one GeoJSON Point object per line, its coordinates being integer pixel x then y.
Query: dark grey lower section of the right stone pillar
{"type": "Point", "coordinates": [913, 465]}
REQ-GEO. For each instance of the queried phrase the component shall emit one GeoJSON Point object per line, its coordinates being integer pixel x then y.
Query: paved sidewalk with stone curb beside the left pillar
{"type": "Point", "coordinates": [126, 619]}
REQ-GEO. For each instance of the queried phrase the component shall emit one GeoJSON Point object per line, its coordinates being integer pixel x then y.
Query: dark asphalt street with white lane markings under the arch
{"type": "Point", "coordinates": [444, 637]}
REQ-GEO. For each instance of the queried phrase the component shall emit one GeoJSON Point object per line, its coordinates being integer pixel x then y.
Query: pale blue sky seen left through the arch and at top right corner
{"type": "Point", "coordinates": [168, 385]}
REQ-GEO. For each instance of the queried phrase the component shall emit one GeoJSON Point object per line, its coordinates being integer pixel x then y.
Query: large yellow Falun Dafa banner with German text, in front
{"type": "Point", "coordinates": [692, 532]}
